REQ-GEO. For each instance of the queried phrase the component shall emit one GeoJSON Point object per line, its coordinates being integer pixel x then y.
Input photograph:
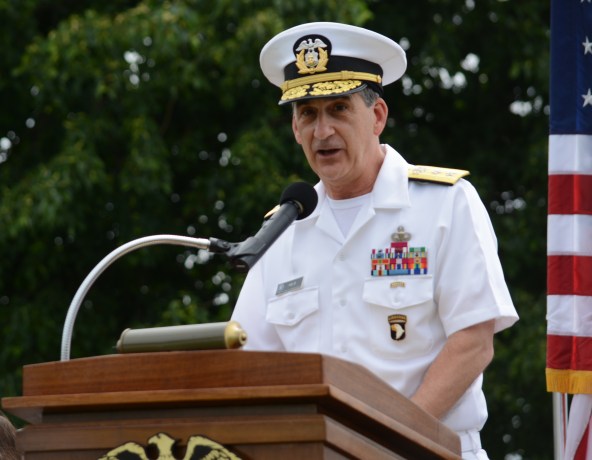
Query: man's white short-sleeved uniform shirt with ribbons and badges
{"type": "Point", "coordinates": [394, 325]}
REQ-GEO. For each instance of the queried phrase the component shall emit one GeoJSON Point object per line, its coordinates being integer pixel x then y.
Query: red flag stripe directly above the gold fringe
{"type": "Point", "coordinates": [569, 352]}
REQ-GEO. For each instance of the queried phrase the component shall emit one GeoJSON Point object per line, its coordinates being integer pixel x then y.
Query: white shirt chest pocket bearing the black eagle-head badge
{"type": "Point", "coordinates": [403, 317]}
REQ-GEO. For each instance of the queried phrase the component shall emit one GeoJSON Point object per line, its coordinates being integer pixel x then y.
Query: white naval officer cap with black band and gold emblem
{"type": "Point", "coordinates": [324, 59]}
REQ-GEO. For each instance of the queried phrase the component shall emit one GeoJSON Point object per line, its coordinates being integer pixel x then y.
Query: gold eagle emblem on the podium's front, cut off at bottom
{"type": "Point", "coordinates": [198, 447]}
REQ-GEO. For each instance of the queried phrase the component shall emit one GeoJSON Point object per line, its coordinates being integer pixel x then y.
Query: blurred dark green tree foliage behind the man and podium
{"type": "Point", "coordinates": [130, 118]}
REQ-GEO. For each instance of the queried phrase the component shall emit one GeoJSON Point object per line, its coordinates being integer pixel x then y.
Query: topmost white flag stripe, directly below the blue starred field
{"type": "Point", "coordinates": [570, 154]}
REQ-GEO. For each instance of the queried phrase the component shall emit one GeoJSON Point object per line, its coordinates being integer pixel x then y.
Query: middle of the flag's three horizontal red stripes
{"type": "Point", "coordinates": [569, 275]}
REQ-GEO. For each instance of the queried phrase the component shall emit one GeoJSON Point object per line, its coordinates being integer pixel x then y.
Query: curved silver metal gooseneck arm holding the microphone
{"type": "Point", "coordinates": [199, 243]}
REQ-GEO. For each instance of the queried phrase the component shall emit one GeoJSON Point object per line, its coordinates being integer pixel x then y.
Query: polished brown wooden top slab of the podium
{"type": "Point", "coordinates": [217, 377]}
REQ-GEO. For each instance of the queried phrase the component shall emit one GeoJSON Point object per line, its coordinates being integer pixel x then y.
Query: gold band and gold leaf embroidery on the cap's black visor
{"type": "Point", "coordinates": [294, 88]}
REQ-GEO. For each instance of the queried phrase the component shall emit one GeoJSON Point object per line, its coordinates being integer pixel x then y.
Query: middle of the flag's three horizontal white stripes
{"type": "Point", "coordinates": [569, 234]}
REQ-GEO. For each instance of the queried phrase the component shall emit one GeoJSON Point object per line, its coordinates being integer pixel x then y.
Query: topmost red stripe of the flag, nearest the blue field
{"type": "Point", "coordinates": [570, 194]}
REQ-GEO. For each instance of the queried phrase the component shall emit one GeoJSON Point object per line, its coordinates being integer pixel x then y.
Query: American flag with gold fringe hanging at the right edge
{"type": "Point", "coordinates": [569, 227]}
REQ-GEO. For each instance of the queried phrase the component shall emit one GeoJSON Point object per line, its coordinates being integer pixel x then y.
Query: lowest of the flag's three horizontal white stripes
{"type": "Point", "coordinates": [569, 315]}
